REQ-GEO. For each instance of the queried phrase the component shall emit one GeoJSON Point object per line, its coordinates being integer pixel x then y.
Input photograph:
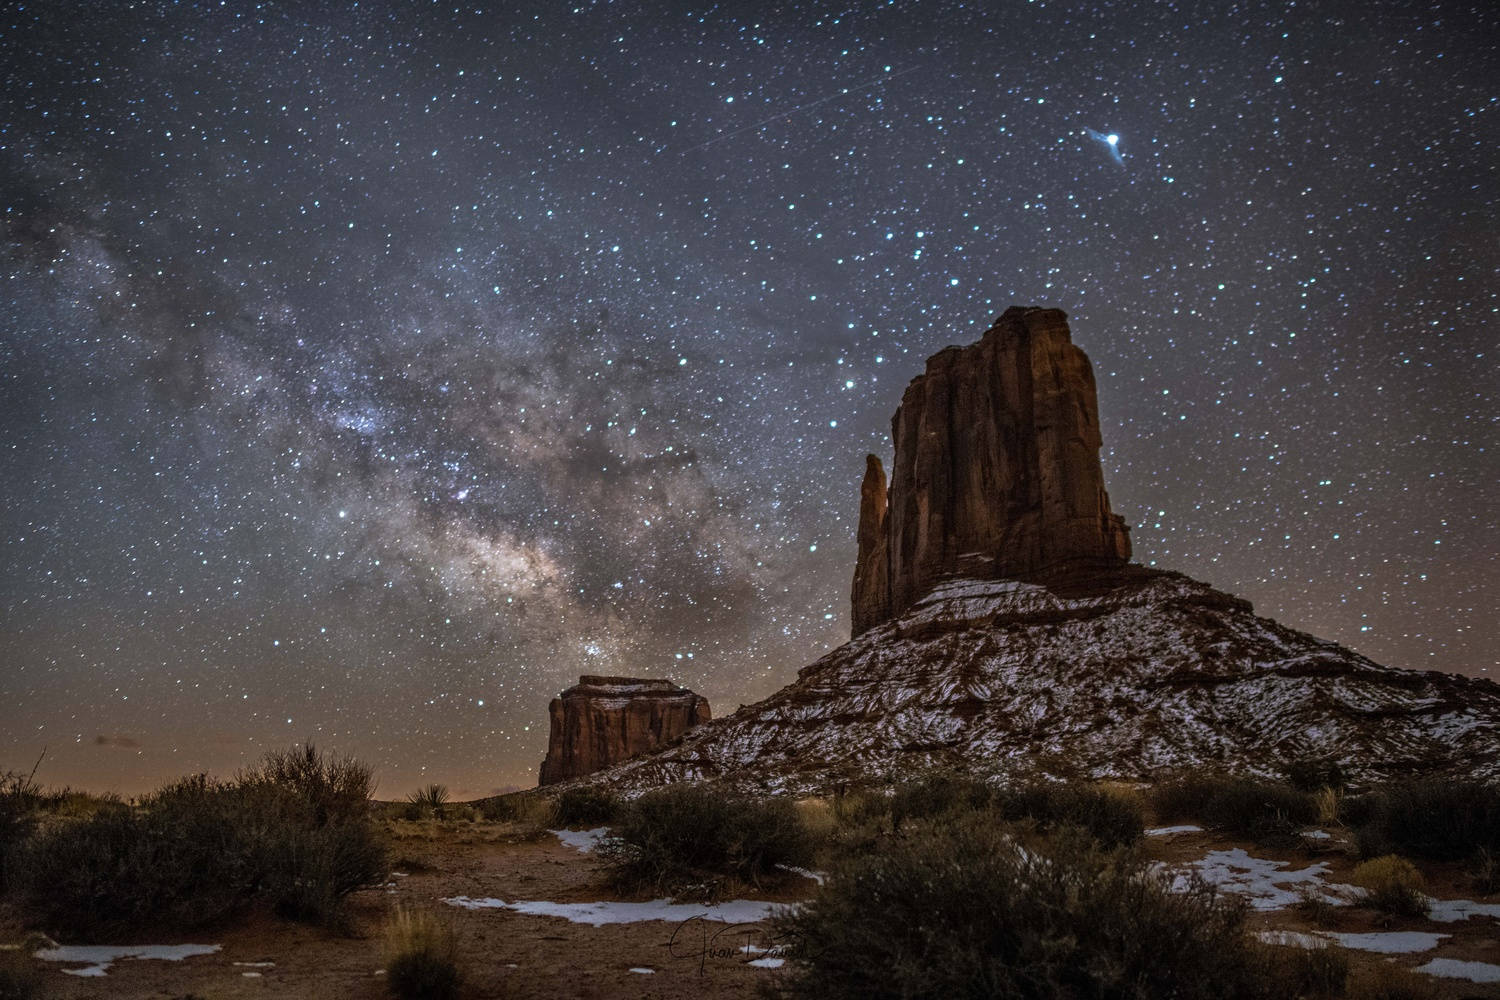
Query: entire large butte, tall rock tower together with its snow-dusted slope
{"type": "Point", "coordinates": [1000, 624]}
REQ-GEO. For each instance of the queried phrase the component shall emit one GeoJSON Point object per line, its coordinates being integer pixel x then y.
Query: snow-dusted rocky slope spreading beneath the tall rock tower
{"type": "Point", "coordinates": [1126, 675]}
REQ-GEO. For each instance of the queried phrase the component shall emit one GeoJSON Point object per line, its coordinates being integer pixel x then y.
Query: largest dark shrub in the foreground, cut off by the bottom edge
{"type": "Point", "coordinates": [961, 909]}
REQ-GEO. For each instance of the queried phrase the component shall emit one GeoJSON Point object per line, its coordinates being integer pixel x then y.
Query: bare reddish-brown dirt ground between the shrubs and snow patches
{"type": "Point", "coordinates": [506, 954]}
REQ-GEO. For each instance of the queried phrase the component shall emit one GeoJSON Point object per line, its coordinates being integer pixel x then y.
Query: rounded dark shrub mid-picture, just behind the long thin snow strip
{"type": "Point", "coordinates": [688, 834]}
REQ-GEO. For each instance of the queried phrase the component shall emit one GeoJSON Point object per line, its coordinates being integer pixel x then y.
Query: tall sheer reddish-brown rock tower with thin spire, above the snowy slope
{"type": "Point", "coordinates": [997, 472]}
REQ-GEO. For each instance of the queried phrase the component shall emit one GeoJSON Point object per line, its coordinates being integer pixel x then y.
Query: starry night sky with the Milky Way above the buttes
{"type": "Point", "coordinates": [370, 371]}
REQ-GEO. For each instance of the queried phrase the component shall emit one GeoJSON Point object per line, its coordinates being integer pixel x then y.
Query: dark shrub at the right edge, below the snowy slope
{"type": "Point", "coordinates": [1439, 819]}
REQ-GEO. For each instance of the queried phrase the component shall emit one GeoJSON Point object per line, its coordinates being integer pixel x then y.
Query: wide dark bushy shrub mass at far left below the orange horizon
{"type": "Point", "coordinates": [292, 833]}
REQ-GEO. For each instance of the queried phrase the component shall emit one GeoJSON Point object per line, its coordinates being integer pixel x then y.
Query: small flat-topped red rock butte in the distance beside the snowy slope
{"type": "Point", "coordinates": [601, 722]}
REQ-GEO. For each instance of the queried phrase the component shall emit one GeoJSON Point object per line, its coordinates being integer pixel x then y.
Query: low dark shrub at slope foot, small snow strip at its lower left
{"type": "Point", "coordinates": [1241, 806]}
